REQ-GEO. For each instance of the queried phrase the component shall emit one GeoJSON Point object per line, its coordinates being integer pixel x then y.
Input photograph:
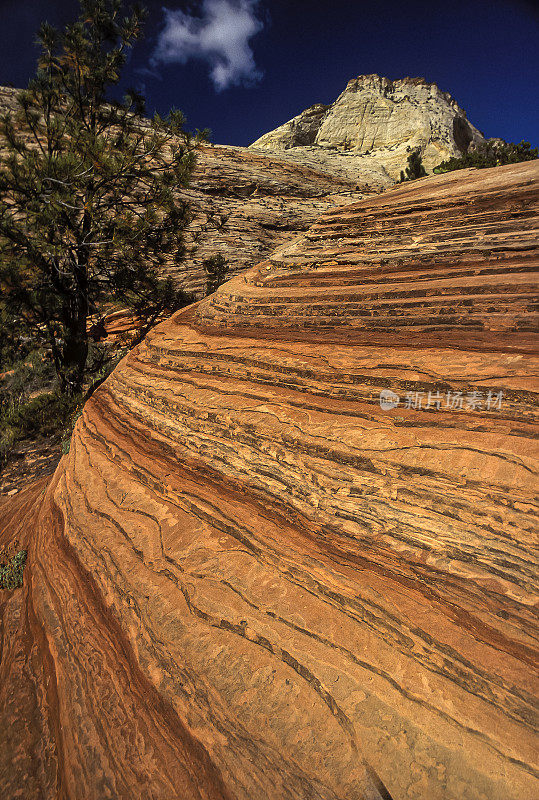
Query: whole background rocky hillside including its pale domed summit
{"type": "Point", "coordinates": [247, 202]}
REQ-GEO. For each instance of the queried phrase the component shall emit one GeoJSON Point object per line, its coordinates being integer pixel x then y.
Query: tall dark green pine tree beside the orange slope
{"type": "Point", "coordinates": [89, 210]}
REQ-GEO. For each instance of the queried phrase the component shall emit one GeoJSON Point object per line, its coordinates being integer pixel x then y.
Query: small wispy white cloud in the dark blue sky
{"type": "Point", "coordinates": [219, 36]}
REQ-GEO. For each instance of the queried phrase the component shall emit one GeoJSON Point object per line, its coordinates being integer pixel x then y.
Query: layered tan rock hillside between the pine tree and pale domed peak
{"type": "Point", "coordinates": [245, 204]}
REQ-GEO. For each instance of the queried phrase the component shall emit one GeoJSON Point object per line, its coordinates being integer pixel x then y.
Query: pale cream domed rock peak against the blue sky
{"type": "Point", "coordinates": [373, 125]}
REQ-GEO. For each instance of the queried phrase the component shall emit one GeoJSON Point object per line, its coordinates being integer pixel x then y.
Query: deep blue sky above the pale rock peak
{"type": "Point", "coordinates": [485, 52]}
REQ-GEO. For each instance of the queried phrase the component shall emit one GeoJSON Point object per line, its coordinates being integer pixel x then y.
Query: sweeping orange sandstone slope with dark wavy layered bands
{"type": "Point", "coordinates": [248, 580]}
